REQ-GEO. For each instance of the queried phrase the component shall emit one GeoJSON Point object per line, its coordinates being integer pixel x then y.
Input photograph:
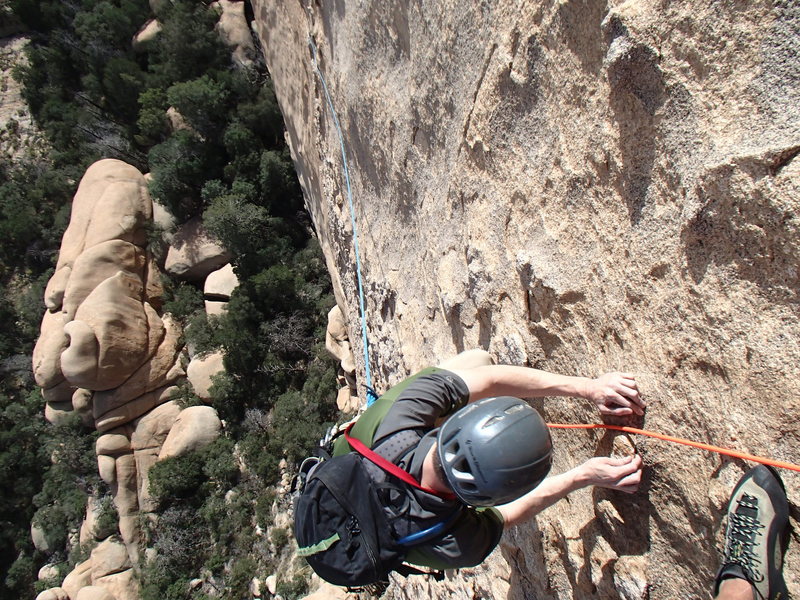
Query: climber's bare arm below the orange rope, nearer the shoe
{"type": "Point", "coordinates": [623, 474]}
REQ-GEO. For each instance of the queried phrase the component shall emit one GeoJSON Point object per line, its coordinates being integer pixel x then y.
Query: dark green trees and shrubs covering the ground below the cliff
{"type": "Point", "coordinates": [94, 97]}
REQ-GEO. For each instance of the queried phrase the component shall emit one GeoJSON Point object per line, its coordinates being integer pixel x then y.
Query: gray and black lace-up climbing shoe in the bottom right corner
{"type": "Point", "coordinates": [757, 534]}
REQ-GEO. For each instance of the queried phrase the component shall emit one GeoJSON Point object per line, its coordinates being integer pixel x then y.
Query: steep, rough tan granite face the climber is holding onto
{"type": "Point", "coordinates": [582, 186]}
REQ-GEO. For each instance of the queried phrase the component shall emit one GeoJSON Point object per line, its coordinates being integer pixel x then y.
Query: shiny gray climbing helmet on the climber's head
{"type": "Point", "coordinates": [494, 450]}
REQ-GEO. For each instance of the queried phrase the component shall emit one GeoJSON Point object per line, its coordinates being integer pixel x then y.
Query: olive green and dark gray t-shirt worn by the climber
{"type": "Point", "coordinates": [414, 405]}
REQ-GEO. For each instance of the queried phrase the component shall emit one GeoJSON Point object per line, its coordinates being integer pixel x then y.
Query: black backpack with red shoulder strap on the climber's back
{"type": "Point", "coordinates": [348, 517]}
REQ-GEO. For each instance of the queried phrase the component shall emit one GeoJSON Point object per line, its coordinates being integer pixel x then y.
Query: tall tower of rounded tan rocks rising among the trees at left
{"type": "Point", "coordinates": [106, 352]}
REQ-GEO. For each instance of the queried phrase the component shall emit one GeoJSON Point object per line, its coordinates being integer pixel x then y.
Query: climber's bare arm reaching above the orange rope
{"type": "Point", "coordinates": [613, 393]}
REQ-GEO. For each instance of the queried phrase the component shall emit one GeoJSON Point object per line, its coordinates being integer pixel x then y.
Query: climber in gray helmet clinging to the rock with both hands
{"type": "Point", "coordinates": [460, 458]}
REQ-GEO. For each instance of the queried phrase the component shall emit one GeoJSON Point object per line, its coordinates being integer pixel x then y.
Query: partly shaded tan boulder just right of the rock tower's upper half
{"type": "Point", "coordinates": [193, 253]}
